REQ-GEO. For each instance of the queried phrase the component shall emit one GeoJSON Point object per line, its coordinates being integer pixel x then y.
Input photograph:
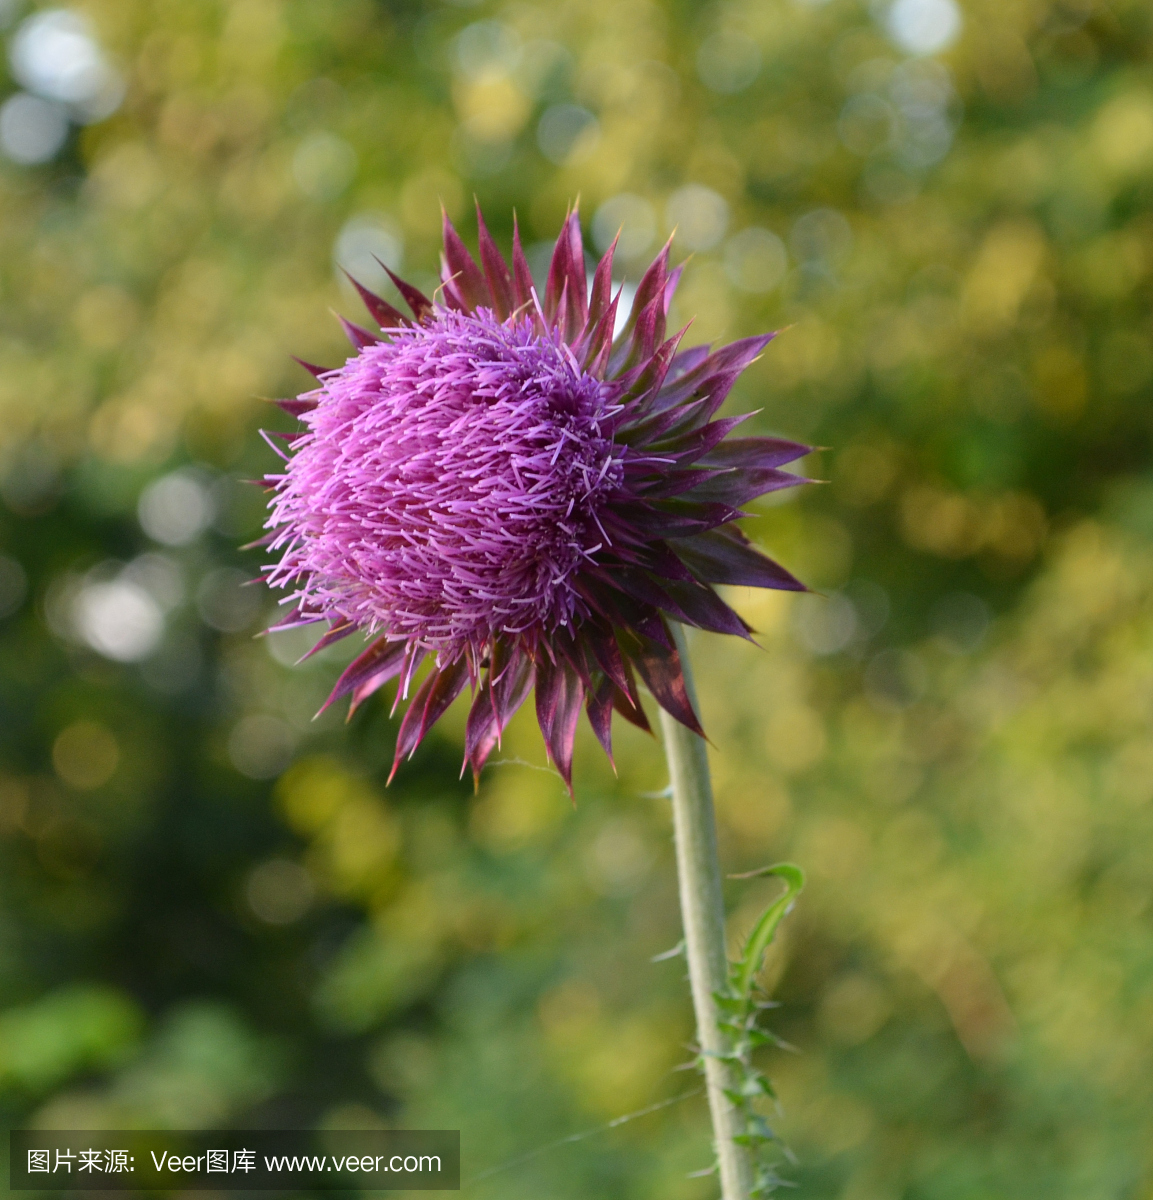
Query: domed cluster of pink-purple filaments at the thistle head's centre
{"type": "Point", "coordinates": [449, 485]}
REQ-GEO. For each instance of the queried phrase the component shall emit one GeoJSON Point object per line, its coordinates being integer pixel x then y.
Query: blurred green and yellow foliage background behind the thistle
{"type": "Point", "coordinates": [212, 909]}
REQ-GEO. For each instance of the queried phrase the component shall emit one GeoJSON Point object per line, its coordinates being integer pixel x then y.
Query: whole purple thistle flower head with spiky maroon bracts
{"type": "Point", "coordinates": [500, 485]}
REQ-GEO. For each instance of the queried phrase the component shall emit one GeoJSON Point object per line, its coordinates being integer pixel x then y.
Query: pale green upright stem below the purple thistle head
{"type": "Point", "coordinates": [702, 909]}
